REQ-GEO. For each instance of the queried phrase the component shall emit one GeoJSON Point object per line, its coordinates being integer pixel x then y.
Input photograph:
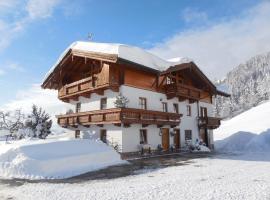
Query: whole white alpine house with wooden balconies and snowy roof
{"type": "Point", "coordinates": [132, 99]}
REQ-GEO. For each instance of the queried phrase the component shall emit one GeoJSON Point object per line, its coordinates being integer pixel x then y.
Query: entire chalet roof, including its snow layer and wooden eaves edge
{"type": "Point", "coordinates": [115, 52]}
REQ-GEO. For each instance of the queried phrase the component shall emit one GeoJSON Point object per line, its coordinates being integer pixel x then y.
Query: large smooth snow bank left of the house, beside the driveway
{"type": "Point", "coordinates": [51, 158]}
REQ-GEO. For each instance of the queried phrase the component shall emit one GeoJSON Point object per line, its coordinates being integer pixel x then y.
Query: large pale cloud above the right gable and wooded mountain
{"type": "Point", "coordinates": [220, 47]}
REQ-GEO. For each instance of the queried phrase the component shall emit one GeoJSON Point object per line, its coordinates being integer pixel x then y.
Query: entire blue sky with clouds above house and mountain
{"type": "Point", "coordinates": [35, 32]}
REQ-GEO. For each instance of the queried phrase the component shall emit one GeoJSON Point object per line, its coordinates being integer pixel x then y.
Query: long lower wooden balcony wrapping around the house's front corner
{"type": "Point", "coordinates": [118, 116]}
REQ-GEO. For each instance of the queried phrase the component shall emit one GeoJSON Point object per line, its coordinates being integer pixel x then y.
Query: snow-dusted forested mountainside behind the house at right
{"type": "Point", "coordinates": [248, 85]}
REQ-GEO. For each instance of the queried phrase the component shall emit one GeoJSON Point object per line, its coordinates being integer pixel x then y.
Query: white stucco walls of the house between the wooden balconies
{"type": "Point", "coordinates": [128, 138]}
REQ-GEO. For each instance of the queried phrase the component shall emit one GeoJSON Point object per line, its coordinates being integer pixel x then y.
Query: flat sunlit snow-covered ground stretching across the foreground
{"type": "Point", "coordinates": [223, 177]}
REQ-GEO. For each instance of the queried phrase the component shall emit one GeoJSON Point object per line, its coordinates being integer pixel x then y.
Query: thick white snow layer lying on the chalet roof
{"type": "Point", "coordinates": [126, 52]}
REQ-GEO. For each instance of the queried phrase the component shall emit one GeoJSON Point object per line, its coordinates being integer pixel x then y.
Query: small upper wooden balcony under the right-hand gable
{"type": "Point", "coordinates": [182, 91]}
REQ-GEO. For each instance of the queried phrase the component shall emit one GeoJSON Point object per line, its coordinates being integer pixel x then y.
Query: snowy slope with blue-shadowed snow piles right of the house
{"type": "Point", "coordinates": [247, 132]}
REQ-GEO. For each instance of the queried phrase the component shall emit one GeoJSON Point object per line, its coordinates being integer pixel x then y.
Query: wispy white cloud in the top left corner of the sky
{"type": "Point", "coordinates": [16, 15]}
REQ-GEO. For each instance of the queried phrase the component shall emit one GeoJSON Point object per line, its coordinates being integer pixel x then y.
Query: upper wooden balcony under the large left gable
{"type": "Point", "coordinates": [85, 87]}
